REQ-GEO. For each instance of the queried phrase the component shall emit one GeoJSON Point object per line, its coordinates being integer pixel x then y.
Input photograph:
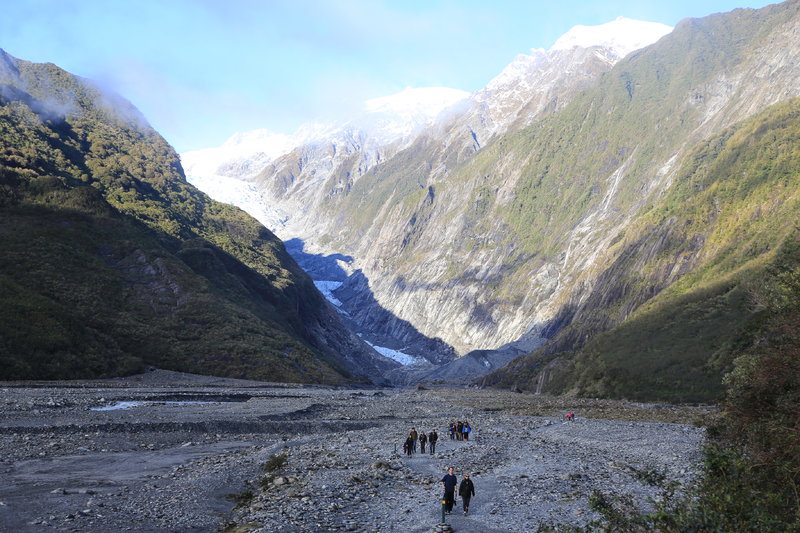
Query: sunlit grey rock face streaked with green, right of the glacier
{"type": "Point", "coordinates": [525, 227]}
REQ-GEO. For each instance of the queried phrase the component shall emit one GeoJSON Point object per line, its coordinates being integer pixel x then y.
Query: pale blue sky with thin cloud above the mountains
{"type": "Point", "coordinates": [202, 70]}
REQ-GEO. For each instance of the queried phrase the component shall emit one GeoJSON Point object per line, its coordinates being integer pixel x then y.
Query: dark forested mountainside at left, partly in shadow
{"type": "Point", "coordinates": [112, 260]}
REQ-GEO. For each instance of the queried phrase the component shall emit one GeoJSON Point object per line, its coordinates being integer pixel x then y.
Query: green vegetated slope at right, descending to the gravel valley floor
{"type": "Point", "coordinates": [706, 250]}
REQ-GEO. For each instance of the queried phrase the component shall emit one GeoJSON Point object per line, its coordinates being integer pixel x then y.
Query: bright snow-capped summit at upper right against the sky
{"type": "Point", "coordinates": [622, 35]}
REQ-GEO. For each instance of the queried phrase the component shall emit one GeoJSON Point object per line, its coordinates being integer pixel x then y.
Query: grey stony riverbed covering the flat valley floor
{"type": "Point", "coordinates": [206, 454]}
